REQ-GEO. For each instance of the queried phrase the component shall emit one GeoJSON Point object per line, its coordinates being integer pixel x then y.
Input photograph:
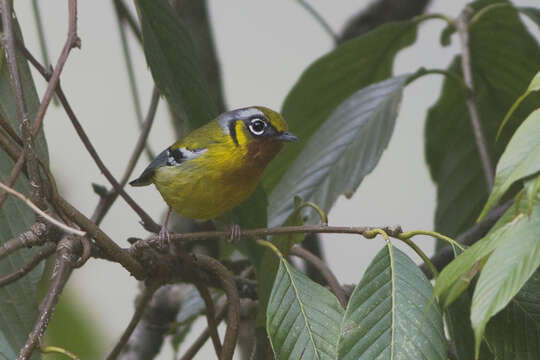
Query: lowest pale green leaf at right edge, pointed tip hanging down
{"type": "Point", "coordinates": [512, 263]}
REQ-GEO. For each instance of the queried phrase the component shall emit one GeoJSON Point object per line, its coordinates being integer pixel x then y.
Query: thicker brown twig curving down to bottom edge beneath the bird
{"type": "Point", "coordinates": [233, 308]}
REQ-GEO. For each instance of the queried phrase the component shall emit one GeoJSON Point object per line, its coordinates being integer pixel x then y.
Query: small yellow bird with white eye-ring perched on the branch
{"type": "Point", "coordinates": [217, 166]}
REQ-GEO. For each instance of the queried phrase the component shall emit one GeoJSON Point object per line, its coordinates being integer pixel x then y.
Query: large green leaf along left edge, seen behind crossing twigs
{"type": "Point", "coordinates": [18, 301]}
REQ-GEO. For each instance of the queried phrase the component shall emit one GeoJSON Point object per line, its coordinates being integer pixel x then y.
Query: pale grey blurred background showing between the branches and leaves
{"type": "Point", "coordinates": [263, 47]}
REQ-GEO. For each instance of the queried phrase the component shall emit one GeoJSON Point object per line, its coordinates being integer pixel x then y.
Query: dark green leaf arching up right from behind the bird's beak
{"type": "Point", "coordinates": [332, 79]}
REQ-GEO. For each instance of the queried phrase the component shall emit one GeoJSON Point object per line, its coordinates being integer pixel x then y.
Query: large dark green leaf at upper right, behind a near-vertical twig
{"type": "Point", "coordinates": [504, 58]}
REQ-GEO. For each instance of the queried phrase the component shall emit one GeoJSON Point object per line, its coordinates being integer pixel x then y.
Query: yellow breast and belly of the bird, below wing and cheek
{"type": "Point", "coordinates": [220, 179]}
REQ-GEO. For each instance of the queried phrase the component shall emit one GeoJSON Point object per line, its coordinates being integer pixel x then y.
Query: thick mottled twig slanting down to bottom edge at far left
{"type": "Point", "coordinates": [65, 259]}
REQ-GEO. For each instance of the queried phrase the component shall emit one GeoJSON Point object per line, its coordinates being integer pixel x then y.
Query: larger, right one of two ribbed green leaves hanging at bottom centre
{"type": "Point", "coordinates": [385, 316]}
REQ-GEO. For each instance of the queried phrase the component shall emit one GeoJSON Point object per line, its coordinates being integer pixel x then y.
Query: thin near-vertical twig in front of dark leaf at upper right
{"type": "Point", "coordinates": [481, 145]}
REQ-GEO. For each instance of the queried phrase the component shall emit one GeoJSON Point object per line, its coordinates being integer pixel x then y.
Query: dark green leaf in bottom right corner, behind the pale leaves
{"type": "Point", "coordinates": [514, 333]}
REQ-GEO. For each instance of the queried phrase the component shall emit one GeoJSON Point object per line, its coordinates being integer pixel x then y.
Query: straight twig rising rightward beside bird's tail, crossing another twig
{"type": "Point", "coordinates": [108, 200]}
